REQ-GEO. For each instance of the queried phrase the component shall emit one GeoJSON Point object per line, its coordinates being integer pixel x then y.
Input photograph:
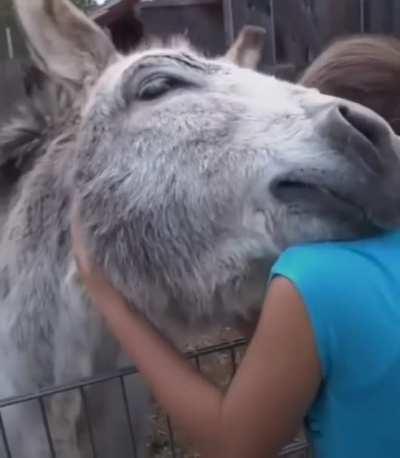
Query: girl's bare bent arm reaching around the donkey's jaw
{"type": "Point", "coordinates": [269, 395]}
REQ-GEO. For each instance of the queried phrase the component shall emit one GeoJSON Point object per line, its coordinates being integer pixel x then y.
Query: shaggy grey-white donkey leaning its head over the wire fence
{"type": "Point", "coordinates": [190, 174]}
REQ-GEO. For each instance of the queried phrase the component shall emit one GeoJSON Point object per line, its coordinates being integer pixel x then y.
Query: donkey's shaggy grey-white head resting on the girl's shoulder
{"type": "Point", "coordinates": [191, 175]}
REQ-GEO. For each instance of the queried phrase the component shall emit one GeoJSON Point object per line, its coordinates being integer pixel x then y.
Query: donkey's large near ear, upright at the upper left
{"type": "Point", "coordinates": [63, 42]}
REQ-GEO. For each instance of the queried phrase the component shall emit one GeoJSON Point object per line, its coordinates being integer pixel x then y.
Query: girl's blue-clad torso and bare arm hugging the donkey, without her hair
{"type": "Point", "coordinates": [326, 348]}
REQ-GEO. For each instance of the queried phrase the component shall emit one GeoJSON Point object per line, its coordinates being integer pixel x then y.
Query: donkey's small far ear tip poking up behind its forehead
{"type": "Point", "coordinates": [247, 50]}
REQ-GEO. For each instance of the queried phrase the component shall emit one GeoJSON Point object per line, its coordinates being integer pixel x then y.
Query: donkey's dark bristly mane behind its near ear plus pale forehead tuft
{"type": "Point", "coordinates": [49, 110]}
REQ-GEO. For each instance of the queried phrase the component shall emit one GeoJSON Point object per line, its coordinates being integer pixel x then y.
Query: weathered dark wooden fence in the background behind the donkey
{"type": "Point", "coordinates": [297, 30]}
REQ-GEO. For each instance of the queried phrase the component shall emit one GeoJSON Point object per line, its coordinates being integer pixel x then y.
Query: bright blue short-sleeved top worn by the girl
{"type": "Point", "coordinates": [352, 294]}
